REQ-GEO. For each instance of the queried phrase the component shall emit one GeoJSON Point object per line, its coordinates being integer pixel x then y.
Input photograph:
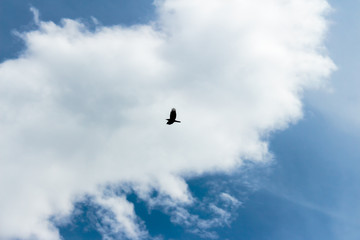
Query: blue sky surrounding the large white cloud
{"type": "Point", "coordinates": [308, 190]}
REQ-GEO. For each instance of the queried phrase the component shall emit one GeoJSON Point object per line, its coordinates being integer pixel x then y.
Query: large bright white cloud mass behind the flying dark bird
{"type": "Point", "coordinates": [81, 109]}
